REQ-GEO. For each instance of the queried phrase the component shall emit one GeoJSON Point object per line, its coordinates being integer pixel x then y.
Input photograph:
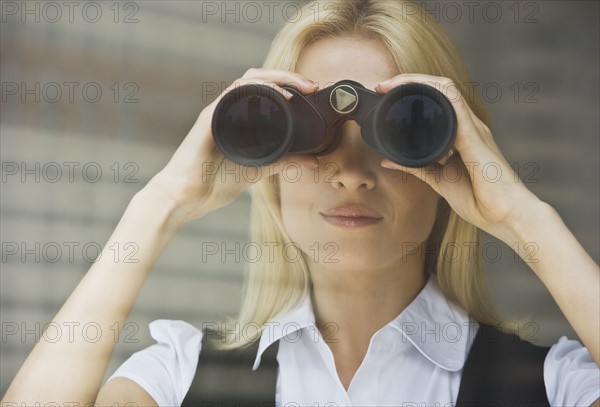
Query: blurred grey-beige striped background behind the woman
{"type": "Point", "coordinates": [96, 97]}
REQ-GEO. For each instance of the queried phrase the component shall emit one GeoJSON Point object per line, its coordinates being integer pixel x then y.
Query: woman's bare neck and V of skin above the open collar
{"type": "Point", "coordinates": [350, 306]}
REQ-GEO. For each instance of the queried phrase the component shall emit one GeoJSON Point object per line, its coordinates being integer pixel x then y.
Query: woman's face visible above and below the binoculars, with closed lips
{"type": "Point", "coordinates": [351, 213]}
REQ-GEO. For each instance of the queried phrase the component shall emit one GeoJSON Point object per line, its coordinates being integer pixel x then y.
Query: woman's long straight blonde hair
{"type": "Point", "coordinates": [418, 45]}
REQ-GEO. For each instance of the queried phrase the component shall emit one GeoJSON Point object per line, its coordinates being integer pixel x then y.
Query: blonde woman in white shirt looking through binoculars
{"type": "Point", "coordinates": [385, 223]}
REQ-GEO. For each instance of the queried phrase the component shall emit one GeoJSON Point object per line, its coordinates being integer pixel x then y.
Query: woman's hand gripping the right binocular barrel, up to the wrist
{"type": "Point", "coordinates": [478, 183]}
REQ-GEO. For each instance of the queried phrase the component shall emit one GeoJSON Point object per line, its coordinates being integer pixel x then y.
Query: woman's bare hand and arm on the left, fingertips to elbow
{"type": "Point", "coordinates": [191, 185]}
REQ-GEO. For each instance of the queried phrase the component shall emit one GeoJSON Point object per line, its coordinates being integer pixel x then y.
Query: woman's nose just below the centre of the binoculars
{"type": "Point", "coordinates": [351, 163]}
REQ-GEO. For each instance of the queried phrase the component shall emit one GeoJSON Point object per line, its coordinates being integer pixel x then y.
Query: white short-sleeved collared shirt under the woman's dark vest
{"type": "Point", "coordinates": [415, 360]}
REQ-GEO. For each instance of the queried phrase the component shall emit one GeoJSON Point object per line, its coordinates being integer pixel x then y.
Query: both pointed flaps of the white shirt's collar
{"type": "Point", "coordinates": [435, 326]}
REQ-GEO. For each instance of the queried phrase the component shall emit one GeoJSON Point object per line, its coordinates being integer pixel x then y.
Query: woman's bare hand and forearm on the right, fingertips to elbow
{"type": "Point", "coordinates": [499, 203]}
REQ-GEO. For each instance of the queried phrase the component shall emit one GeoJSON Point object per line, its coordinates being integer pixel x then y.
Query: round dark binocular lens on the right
{"type": "Point", "coordinates": [416, 128]}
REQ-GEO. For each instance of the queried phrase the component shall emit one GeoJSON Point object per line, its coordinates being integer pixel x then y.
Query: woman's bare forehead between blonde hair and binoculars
{"type": "Point", "coordinates": [331, 59]}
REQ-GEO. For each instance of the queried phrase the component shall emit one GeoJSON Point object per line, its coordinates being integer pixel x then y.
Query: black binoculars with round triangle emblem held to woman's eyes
{"type": "Point", "coordinates": [413, 124]}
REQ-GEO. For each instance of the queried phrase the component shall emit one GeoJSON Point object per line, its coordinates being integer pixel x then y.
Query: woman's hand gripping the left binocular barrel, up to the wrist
{"type": "Point", "coordinates": [199, 179]}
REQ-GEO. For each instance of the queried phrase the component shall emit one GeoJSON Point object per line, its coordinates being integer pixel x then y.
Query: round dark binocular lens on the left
{"type": "Point", "coordinates": [252, 126]}
